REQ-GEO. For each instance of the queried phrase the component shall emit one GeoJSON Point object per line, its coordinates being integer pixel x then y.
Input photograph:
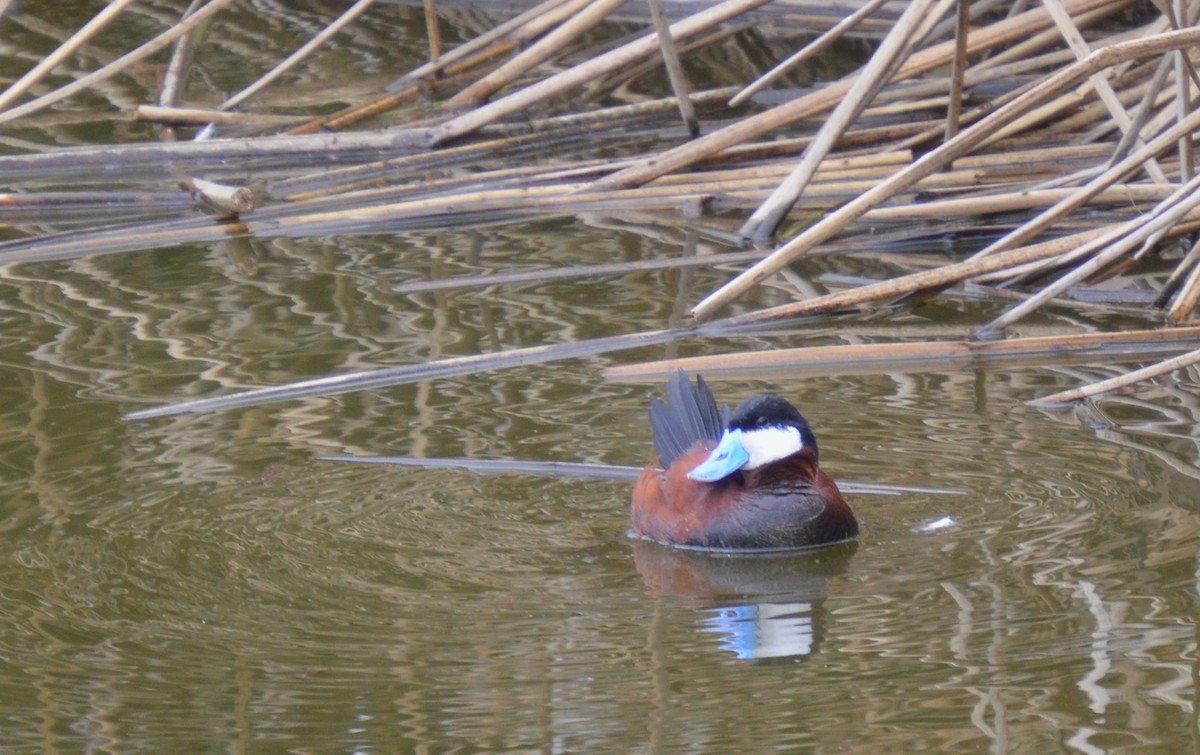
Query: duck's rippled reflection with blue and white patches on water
{"type": "Point", "coordinates": [761, 606]}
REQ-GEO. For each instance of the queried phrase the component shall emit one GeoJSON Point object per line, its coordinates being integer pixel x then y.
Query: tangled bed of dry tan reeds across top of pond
{"type": "Point", "coordinates": [1063, 127]}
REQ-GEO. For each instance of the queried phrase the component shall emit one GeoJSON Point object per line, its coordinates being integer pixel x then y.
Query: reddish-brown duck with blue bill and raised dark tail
{"type": "Point", "coordinates": [747, 481]}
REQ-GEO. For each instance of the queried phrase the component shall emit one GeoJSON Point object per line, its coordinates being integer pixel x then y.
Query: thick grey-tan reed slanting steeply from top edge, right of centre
{"type": "Point", "coordinates": [763, 224]}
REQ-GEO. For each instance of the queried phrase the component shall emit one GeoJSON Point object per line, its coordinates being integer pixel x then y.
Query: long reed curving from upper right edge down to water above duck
{"type": "Point", "coordinates": [935, 160]}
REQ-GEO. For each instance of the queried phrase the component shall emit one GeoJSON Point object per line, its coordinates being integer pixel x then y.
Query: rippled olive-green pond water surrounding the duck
{"type": "Point", "coordinates": [205, 583]}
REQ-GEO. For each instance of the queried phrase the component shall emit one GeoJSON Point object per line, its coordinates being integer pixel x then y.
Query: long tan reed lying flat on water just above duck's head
{"type": "Point", "coordinates": [915, 357]}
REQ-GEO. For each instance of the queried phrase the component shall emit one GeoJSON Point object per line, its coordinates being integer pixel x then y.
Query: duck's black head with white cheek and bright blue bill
{"type": "Point", "coordinates": [761, 432]}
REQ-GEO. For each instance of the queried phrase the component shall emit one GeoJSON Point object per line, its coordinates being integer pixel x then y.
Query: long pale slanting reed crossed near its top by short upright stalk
{"type": "Point", "coordinates": [587, 71]}
